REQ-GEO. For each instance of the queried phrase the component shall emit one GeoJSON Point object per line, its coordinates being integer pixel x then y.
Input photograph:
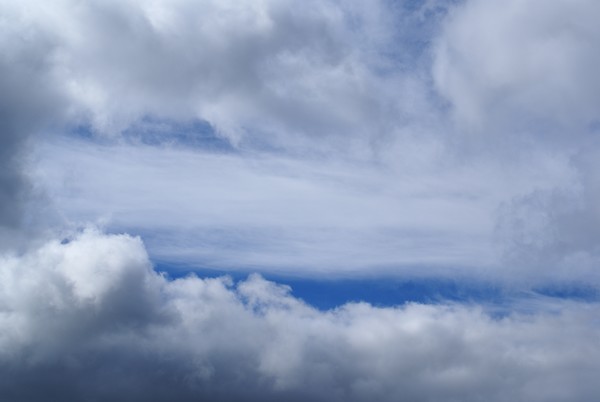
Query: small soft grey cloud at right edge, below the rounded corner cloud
{"type": "Point", "coordinates": [554, 232]}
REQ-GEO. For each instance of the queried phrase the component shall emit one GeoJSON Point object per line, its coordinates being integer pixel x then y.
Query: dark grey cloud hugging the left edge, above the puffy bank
{"type": "Point", "coordinates": [29, 100]}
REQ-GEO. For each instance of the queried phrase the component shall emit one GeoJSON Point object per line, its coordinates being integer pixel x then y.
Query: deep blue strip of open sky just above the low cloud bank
{"type": "Point", "coordinates": [326, 293]}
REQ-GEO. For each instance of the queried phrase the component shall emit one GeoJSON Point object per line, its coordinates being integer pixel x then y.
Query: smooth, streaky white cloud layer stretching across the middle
{"type": "Point", "coordinates": [306, 216]}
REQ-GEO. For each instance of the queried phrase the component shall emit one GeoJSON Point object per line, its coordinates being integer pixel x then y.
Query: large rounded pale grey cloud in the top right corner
{"type": "Point", "coordinates": [526, 67]}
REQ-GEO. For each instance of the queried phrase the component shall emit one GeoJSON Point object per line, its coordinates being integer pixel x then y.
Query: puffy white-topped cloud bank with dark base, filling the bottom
{"type": "Point", "coordinates": [89, 319]}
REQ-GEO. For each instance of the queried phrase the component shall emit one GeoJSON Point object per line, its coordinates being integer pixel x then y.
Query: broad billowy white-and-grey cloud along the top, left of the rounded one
{"type": "Point", "coordinates": [265, 72]}
